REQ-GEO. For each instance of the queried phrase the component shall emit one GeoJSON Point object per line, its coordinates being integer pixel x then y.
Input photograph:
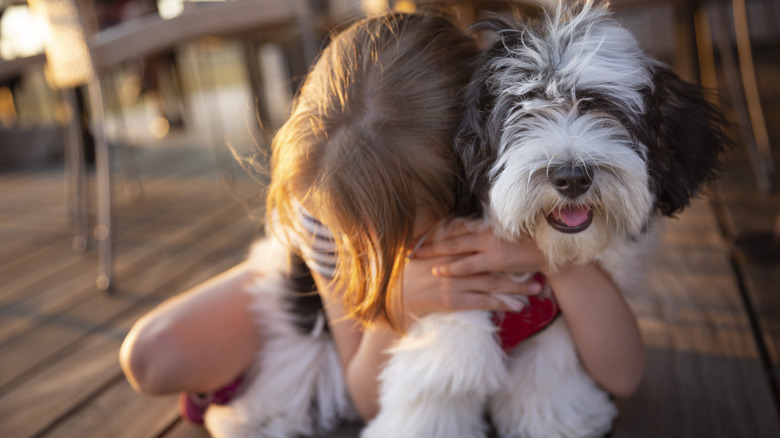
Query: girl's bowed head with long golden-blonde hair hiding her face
{"type": "Point", "coordinates": [368, 148]}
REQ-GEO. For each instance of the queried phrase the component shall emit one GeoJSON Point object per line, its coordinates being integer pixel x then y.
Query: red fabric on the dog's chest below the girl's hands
{"type": "Point", "coordinates": [515, 327]}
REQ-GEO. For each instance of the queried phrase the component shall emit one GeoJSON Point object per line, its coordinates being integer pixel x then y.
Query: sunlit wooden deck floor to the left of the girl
{"type": "Point", "coordinates": [59, 374]}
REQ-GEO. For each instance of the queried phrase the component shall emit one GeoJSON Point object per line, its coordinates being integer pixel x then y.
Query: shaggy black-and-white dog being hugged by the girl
{"type": "Point", "coordinates": [573, 136]}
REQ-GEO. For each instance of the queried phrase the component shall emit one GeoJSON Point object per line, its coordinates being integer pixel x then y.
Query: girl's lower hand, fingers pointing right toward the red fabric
{"type": "Point", "coordinates": [424, 293]}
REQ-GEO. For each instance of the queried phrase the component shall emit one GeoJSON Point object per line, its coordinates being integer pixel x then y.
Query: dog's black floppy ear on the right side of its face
{"type": "Point", "coordinates": [685, 137]}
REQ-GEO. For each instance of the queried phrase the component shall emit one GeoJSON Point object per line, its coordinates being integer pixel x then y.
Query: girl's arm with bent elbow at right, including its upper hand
{"type": "Point", "coordinates": [602, 324]}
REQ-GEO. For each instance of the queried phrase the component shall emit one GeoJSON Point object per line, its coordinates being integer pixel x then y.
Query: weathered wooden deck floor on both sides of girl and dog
{"type": "Point", "coordinates": [710, 317]}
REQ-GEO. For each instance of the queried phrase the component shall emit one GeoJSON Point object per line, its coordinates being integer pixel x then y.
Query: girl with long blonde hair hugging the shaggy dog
{"type": "Point", "coordinates": [367, 152]}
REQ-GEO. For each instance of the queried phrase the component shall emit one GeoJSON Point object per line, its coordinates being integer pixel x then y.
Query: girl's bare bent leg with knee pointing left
{"type": "Point", "coordinates": [198, 341]}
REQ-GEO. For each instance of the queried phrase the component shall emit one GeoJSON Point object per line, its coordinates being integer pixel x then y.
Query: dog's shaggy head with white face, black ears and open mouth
{"type": "Point", "coordinates": [574, 136]}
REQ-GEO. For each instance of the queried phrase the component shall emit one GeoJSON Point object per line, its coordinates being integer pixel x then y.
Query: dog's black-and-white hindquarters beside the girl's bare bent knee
{"type": "Point", "coordinates": [296, 387]}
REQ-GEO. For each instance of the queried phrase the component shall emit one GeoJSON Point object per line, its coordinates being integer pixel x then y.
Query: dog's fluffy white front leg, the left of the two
{"type": "Point", "coordinates": [436, 383]}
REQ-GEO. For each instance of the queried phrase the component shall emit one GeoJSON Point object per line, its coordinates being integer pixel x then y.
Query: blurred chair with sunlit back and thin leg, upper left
{"type": "Point", "coordinates": [78, 55]}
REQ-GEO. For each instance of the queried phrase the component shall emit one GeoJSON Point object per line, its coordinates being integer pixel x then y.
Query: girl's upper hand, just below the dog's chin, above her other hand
{"type": "Point", "coordinates": [480, 251]}
